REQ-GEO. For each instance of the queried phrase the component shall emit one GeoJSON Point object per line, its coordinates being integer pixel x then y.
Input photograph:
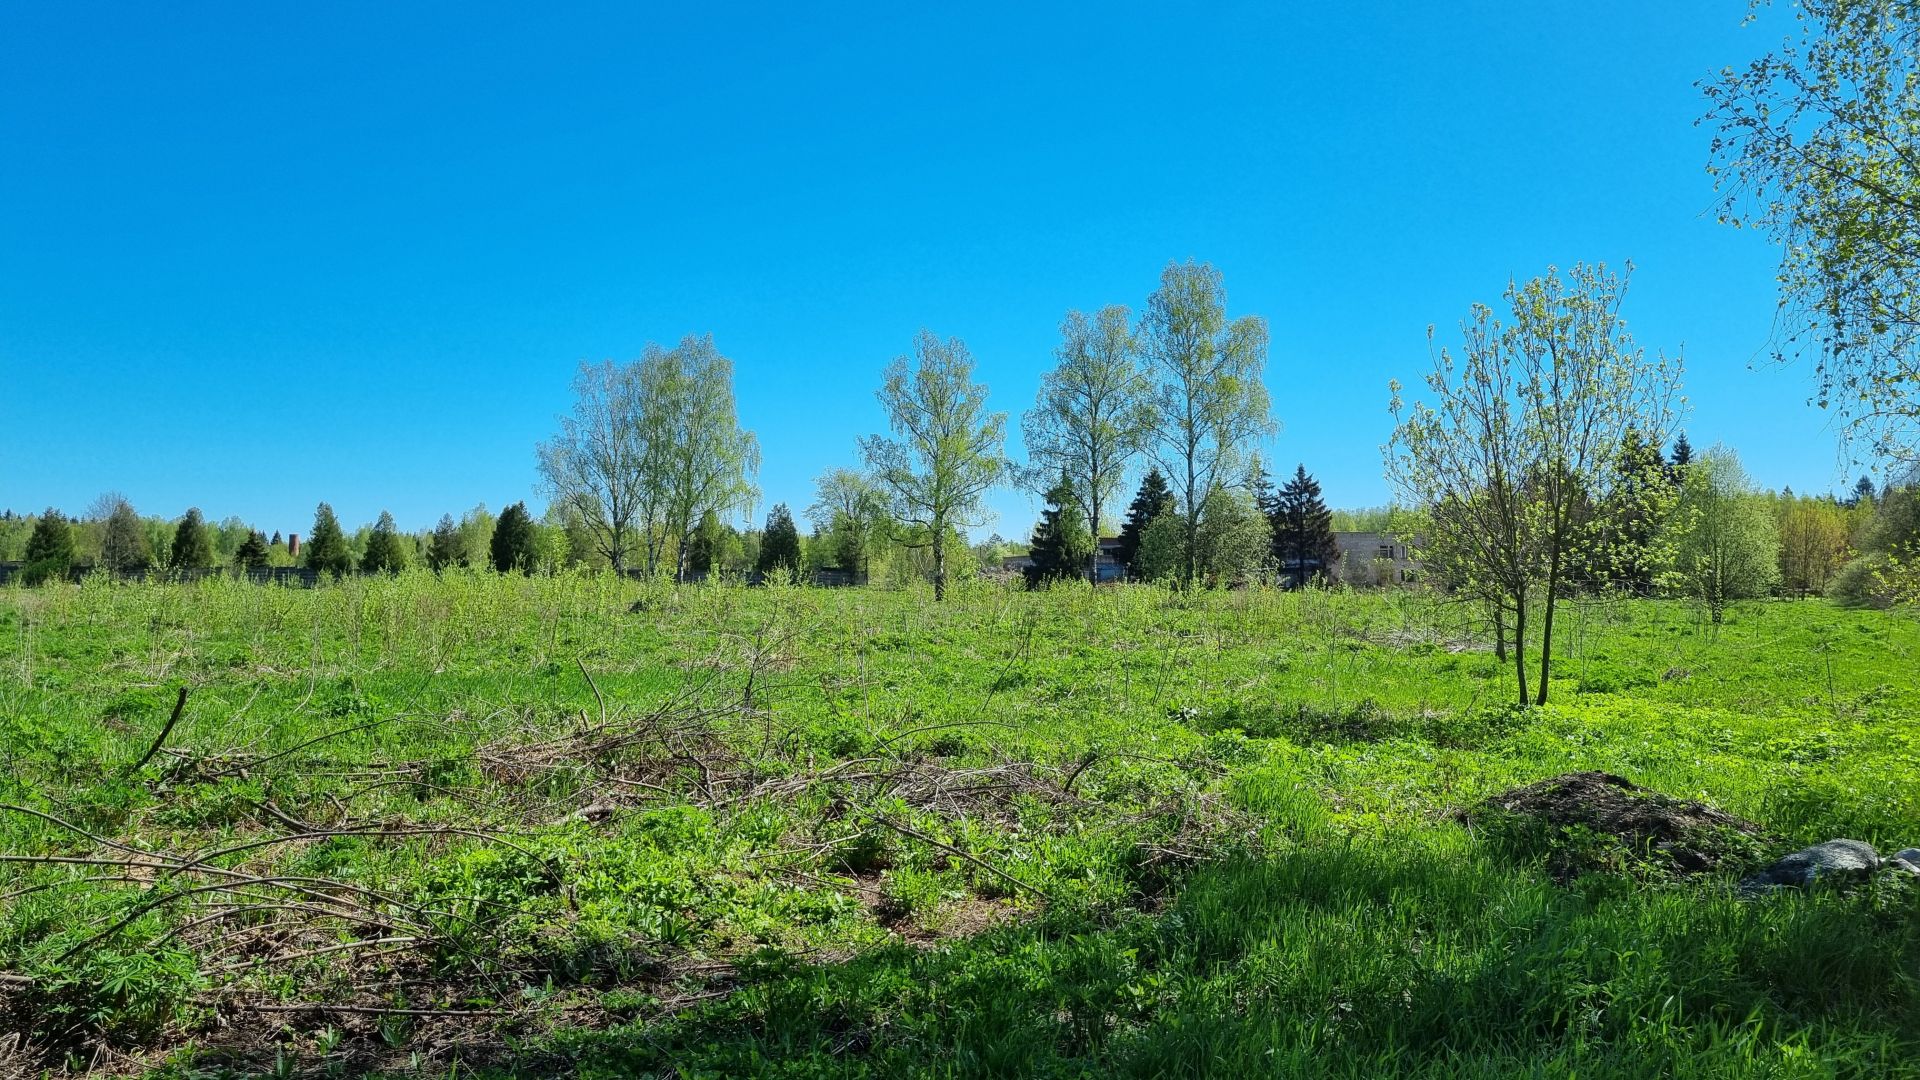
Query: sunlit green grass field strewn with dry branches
{"type": "Point", "coordinates": [588, 827]}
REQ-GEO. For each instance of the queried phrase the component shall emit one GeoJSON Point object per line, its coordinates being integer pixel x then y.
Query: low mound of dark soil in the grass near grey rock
{"type": "Point", "coordinates": [1598, 822]}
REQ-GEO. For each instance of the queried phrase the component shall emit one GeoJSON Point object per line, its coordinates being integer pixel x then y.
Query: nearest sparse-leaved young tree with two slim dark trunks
{"type": "Point", "coordinates": [1516, 464]}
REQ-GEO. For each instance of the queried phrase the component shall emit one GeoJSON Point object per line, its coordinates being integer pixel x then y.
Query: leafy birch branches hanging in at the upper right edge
{"type": "Point", "coordinates": [1815, 147]}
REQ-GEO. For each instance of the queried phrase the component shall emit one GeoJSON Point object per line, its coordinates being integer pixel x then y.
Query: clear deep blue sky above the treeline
{"type": "Point", "coordinates": [254, 257]}
